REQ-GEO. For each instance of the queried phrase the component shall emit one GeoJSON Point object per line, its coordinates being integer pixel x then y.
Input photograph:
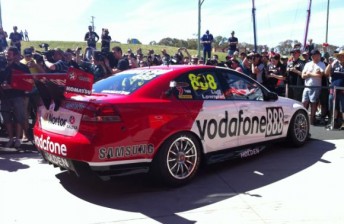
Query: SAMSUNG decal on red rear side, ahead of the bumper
{"type": "Point", "coordinates": [125, 151]}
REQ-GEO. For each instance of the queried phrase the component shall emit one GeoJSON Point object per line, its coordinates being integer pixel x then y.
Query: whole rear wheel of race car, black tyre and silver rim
{"type": "Point", "coordinates": [178, 160]}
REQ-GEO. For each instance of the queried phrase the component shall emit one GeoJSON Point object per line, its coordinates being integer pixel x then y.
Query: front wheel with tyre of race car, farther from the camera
{"type": "Point", "coordinates": [299, 129]}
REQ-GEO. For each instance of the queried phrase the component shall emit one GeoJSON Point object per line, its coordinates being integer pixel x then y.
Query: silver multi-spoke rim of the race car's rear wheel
{"type": "Point", "coordinates": [182, 158]}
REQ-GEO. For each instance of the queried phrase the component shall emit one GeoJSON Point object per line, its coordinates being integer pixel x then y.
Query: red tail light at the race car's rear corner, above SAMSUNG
{"type": "Point", "coordinates": [100, 113]}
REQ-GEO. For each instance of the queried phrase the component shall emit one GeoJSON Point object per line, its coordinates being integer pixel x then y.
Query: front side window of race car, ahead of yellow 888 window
{"type": "Point", "coordinates": [239, 87]}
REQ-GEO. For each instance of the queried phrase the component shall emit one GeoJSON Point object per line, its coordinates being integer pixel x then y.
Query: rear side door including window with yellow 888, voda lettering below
{"type": "Point", "coordinates": [201, 93]}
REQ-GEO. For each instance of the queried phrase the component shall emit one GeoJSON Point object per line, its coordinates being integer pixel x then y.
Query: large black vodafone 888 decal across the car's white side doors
{"type": "Point", "coordinates": [270, 124]}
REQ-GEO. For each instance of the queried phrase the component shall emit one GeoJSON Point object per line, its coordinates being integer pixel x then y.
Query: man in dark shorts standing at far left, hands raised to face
{"type": "Point", "coordinates": [13, 99]}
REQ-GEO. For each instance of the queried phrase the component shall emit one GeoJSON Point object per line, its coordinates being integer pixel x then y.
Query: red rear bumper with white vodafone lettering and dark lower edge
{"type": "Point", "coordinates": [78, 154]}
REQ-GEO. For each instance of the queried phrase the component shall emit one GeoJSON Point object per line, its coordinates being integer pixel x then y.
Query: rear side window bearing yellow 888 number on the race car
{"type": "Point", "coordinates": [199, 85]}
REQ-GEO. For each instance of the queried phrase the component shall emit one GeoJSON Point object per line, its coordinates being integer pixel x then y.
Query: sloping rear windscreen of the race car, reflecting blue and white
{"type": "Point", "coordinates": [126, 82]}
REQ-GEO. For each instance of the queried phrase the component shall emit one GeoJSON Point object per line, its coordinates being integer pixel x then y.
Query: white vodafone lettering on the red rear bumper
{"type": "Point", "coordinates": [53, 147]}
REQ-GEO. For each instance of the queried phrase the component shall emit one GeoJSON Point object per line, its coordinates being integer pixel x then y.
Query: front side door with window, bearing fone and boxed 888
{"type": "Point", "coordinates": [257, 119]}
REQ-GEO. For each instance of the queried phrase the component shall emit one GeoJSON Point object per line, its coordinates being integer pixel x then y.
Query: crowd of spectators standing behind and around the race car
{"type": "Point", "coordinates": [304, 75]}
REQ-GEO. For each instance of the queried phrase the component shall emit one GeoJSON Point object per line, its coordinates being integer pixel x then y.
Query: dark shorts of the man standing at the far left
{"type": "Point", "coordinates": [13, 110]}
